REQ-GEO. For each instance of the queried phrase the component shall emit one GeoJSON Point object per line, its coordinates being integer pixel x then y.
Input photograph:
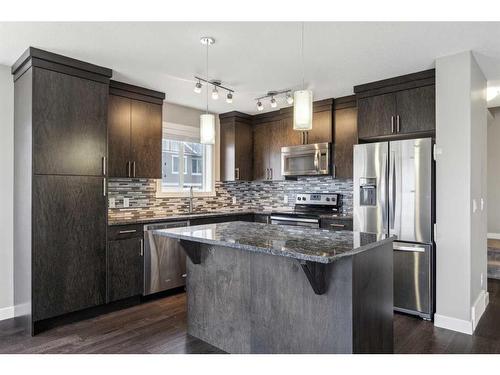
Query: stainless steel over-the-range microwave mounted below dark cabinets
{"type": "Point", "coordinates": [306, 160]}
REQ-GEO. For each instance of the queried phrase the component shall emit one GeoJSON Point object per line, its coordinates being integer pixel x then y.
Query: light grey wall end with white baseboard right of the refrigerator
{"type": "Point", "coordinates": [460, 186]}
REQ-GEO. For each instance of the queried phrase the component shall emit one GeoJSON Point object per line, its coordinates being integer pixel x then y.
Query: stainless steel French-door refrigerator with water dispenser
{"type": "Point", "coordinates": [393, 194]}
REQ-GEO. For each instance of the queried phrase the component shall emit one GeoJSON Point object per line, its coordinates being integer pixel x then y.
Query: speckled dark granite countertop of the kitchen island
{"type": "Point", "coordinates": [317, 245]}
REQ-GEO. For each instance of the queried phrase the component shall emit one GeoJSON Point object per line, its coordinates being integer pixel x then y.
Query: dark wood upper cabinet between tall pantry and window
{"type": "Point", "coordinates": [134, 131]}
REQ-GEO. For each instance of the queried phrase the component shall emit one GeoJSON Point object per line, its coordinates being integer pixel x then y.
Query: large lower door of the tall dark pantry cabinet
{"type": "Point", "coordinates": [69, 244]}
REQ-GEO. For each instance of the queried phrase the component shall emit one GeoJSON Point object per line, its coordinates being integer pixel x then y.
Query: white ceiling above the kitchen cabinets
{"type": "Point", "coordinates": [255, 57]}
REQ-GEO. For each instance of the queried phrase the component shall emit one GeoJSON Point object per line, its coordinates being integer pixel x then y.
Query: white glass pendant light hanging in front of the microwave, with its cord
{"type": "Point", "coordinates": [302, 100]}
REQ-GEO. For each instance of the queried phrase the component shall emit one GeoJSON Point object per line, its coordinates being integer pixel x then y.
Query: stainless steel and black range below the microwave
{"type": "Point", "coordinates": [309, 207]}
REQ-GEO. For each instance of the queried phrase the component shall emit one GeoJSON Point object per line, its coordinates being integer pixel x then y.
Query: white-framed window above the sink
{"type": "Point", "coordinates": [183, 152]}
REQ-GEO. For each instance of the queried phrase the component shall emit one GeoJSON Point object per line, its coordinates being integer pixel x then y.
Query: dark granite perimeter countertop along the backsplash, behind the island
{"type": "Point", "coordinates": [198, 215]}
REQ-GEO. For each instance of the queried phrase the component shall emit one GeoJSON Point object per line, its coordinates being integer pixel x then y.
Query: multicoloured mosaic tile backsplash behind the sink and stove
{"type": "Point", "coordinates": [250, 195]}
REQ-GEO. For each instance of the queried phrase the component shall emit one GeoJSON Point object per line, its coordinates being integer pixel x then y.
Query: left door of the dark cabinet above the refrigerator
{"type": "Point", "coordinates": [374, 115]}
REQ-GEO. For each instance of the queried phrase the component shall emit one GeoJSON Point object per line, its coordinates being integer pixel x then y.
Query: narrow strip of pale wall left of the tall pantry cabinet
{"type": "Point", "coordinates": [6, 191]}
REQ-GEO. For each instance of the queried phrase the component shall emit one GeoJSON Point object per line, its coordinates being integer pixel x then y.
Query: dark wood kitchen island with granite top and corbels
{"type": "Point", "coordinates": [261, 288]}
